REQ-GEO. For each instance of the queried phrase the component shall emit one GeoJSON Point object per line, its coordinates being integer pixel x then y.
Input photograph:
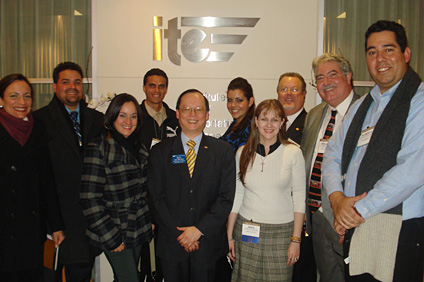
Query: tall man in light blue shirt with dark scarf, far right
{"type": "Point", "coordinates": [373, 166]}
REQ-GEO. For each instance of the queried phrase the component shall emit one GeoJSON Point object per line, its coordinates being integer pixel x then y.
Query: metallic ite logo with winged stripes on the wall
{"type": "Point", "coordinates": [191, 40]}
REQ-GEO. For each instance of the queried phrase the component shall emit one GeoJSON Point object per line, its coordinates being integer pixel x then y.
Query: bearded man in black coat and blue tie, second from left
{"type": "Point", "coordinates": [71, 125]}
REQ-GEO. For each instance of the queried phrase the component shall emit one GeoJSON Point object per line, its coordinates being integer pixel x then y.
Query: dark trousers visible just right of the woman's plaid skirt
{"type": "Point", "coordinates": [305, 269]}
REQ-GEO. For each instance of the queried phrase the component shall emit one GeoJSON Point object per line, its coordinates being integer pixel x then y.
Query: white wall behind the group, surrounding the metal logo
{"type": "Point", "coordinates": [284, 39]}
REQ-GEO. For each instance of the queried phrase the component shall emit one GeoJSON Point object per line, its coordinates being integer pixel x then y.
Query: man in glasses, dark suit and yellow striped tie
{"type": "Point", "coordinates": [191, 186]}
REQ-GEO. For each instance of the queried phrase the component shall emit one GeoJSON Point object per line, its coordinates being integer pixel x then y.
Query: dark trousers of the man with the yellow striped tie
{"type": "Point", "coordinates": [188, 270]}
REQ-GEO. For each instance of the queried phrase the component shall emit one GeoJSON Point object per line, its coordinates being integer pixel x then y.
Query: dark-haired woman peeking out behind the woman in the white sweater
{"type": "Point", "coordinates": [241, 105]}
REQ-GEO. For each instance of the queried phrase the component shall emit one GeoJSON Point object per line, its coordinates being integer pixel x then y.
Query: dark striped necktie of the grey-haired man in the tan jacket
{"type": "Point", "coordinates": [314, 199]}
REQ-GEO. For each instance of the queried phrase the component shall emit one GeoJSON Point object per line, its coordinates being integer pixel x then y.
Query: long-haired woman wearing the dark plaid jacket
{"type": "Point", "coordinates": [114, 190]}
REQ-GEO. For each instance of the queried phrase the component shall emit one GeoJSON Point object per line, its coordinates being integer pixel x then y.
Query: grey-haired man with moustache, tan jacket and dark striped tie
{"type": "Point", "coordinates": [334, 83]}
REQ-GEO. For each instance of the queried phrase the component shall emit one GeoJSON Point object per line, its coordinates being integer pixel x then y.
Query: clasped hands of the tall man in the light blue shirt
{"type": "Point", "coordinates": [345, 214]}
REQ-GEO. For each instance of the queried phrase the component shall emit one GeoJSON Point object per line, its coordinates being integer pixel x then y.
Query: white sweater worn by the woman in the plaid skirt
{"type": "Point", "coordinates": [272, 196]}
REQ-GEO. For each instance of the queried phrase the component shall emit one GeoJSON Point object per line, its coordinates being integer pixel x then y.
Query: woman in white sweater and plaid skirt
{"type": "Point", "coordinates": [265, 224]}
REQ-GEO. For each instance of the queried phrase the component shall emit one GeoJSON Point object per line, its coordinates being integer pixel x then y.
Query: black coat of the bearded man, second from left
{"type": "Point", "coordinates": [67, 159]}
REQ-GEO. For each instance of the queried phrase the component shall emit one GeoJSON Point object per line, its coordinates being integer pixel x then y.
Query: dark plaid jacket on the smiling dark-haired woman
{"type": "Point", "coordinates": [113, 195]}
